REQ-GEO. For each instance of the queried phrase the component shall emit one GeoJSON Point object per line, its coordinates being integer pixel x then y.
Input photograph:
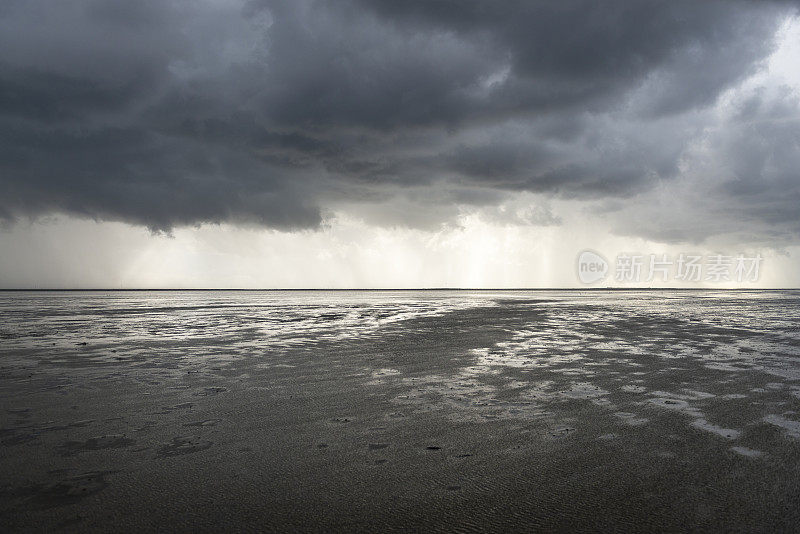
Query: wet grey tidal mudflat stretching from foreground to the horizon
{"type": "Point", "coordinates": [434, 410]}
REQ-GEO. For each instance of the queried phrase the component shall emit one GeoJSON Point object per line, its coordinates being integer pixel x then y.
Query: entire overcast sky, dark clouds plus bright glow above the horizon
{"type": "Point", "coordinates": [385, 143]}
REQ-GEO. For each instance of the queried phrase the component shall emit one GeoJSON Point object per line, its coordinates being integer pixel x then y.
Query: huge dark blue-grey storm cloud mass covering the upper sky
{"type": "Point", "coordinates": [165, 113]}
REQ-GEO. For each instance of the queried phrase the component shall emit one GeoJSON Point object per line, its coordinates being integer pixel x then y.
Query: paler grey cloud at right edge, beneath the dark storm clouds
{"type": "Point", "coordinates": [741, 181]}
